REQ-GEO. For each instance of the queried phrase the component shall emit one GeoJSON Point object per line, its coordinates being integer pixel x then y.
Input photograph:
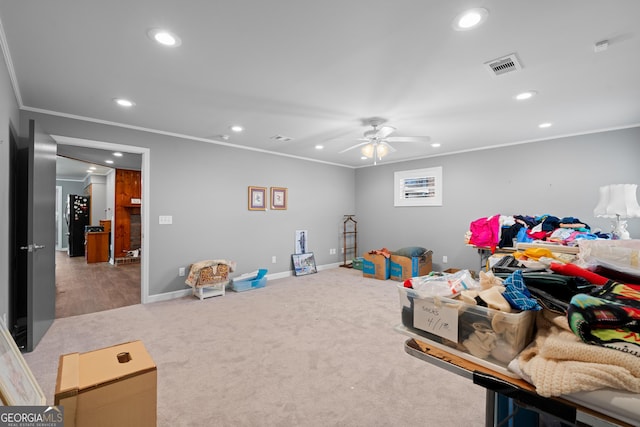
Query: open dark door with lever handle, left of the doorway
{"type": "Point", "coordinates": [34, 289]}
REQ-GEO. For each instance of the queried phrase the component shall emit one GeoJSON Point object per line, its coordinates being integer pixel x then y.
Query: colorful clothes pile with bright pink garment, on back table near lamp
{"type": "Point", "coordinates": [505, 230]}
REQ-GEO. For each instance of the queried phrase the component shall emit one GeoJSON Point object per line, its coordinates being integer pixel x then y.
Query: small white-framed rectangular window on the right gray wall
{"type": "Point", "coordinates": [419, 187]}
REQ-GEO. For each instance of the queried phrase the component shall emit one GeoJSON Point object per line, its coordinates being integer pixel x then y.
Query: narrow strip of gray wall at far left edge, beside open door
{"type": "Point", "coordinates": [8, 117]}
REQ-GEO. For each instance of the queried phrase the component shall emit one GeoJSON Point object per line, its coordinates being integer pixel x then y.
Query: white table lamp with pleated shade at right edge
{"type": "Point", "coordinates": [618, 201]}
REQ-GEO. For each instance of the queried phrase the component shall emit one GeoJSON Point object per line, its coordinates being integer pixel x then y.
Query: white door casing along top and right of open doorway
{"type": "Point", "coordinates": [144, 209]}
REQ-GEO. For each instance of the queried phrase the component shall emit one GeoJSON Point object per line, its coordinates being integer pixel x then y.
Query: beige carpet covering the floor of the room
{"type": "Point", "coordinates": [316, 350]}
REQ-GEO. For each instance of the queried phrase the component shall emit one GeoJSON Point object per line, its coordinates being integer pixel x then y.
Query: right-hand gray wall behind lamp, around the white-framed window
{"type": "Point", "coordinates": [560, 177]}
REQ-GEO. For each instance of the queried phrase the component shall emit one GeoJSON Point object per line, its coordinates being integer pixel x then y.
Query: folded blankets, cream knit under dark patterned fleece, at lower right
{"type": "Point", "coordinates": [592, 343]}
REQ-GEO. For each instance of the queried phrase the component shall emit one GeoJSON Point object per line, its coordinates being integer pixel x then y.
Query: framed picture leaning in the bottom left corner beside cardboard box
{"type": "Point", "coordinates": [18, 386]}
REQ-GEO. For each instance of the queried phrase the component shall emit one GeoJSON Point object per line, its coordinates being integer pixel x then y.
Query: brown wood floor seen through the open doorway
{"type": "Point", "coordinates": [86, 288]}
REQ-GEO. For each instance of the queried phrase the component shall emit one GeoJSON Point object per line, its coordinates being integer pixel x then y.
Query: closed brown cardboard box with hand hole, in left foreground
{"type": "Point", "coordinates": [113, 386]}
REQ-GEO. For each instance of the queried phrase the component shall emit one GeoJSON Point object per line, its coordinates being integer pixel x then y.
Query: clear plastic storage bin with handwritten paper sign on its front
{"type": "Point", "coordinates": [454, 324]}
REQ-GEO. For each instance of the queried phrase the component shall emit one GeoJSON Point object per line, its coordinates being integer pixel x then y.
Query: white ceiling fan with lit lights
{"type": "Point", "coordinates": [375, 143]}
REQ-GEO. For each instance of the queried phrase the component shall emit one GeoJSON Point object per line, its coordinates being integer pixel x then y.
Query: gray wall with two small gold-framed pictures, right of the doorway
{"type": "Point", "coordinates": [204, 188]}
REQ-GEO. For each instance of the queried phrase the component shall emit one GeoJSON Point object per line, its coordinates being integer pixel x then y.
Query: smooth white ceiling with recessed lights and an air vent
{"type": "Point", "coordinates": [313, 70]}
